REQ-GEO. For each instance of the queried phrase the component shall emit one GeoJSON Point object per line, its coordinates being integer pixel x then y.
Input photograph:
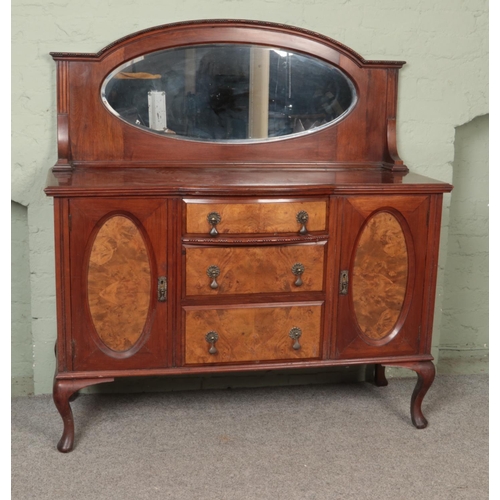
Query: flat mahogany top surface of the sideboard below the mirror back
{"type": "Point", "coordinates": [236, 181]}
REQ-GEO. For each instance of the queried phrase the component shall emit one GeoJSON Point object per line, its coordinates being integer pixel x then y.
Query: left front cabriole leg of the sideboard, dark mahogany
{"type": "Point", "coordinates": [63, 390]}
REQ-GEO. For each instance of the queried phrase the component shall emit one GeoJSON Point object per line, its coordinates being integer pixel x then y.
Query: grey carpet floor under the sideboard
{"type": "Point", "coordinates": [338, 441]}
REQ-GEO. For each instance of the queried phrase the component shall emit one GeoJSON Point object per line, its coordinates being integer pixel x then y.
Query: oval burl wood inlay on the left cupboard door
{"type": "Point", "coordinates": [119, 283]}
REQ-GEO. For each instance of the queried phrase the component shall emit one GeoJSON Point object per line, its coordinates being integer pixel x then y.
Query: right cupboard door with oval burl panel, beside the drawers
{"type": "Point", "coordinates": [382, 273]}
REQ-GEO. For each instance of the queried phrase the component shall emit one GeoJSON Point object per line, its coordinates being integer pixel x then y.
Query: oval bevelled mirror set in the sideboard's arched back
{"type": "Point", "coordinates": [228, 92]}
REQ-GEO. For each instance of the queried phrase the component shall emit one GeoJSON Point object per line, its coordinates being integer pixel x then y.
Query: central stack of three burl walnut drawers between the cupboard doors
{"type": "Point", "coordinates": [253, 280]}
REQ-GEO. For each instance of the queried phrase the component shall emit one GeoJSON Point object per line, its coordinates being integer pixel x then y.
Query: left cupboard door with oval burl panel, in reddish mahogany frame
{"type": "Point", "coordinates": [118, 262]}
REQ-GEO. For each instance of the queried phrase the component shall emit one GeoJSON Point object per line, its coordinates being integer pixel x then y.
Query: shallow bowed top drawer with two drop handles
{"type": "Point", "coordinates": [214, 217]}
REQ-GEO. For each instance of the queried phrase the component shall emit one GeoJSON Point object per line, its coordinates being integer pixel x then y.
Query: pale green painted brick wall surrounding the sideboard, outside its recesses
{"type": "Point", "coordinates": [443, 86]}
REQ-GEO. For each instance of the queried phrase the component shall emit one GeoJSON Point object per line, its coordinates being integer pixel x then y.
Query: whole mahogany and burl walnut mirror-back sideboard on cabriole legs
{"type": "Point", "coordinates": [228, 197]}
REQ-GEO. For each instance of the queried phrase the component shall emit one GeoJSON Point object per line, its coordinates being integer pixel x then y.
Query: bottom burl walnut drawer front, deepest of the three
{"type": "Point", "coordinates": [243, 334]}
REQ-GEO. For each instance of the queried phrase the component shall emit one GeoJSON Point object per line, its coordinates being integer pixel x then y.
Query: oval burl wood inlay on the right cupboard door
{"type": "Point", "coordinates": [380, 274]}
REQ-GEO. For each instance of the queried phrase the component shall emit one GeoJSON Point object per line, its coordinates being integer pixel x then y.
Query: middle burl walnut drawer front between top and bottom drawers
{"type": "Point", "coordinates": [265, 269]}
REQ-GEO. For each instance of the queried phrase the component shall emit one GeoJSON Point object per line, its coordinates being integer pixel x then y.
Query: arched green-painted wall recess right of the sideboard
{"type": "Point", "coordinates": [464, 329]}
